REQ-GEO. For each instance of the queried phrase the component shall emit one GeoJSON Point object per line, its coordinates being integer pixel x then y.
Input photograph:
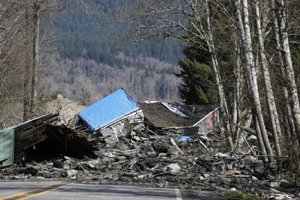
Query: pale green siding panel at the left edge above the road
{"type": "Point", "coordinates": [7, 146]}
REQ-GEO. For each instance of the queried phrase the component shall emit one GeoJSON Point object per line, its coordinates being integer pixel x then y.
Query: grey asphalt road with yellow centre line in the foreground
{"type": "Point", "coordinates": [63, 190]}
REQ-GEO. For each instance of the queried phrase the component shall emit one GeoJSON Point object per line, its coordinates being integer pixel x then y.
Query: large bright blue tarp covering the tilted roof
{"type": "Point", "coordinates": [109, 109]}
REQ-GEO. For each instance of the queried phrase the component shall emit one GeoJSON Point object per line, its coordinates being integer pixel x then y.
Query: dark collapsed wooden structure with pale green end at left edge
{"type": "Point", "coordinates": [38, 136]}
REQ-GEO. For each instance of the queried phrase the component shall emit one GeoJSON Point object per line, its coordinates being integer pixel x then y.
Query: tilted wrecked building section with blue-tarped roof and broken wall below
{"type": "Point", "coordinates": [111, 114]}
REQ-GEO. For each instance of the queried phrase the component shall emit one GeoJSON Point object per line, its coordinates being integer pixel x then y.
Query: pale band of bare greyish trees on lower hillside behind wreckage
{"type": "Point", "coordinates": [86, 81]}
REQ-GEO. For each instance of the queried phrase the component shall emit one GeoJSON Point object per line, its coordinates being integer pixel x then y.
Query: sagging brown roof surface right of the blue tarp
{"type": "Point", "coordinates": [160, 116]}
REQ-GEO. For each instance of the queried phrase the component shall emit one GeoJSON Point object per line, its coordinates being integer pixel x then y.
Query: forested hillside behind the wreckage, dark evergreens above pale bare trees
{"type": "Point", "coordinates": [90, 54]}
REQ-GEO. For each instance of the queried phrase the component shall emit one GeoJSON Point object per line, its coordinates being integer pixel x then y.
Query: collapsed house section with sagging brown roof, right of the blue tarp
{"type": "Point", "coordinates": [181, 118]}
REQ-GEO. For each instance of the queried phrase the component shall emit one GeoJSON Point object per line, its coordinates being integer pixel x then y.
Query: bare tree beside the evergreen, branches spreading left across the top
{"type": "Point", "coordinates": [187, 20]}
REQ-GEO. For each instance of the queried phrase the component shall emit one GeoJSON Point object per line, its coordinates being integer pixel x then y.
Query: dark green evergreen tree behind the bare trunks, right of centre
{"type": "Point", "coordinates": [197, 77]}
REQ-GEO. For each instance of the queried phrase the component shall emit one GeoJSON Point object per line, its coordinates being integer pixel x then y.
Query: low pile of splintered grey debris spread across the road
{"type": "Point", "coordinates": [146, 159]}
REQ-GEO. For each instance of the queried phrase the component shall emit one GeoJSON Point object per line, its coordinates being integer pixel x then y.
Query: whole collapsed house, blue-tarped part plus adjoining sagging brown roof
{"type": "Point", "coordinates": [117, 114]}
